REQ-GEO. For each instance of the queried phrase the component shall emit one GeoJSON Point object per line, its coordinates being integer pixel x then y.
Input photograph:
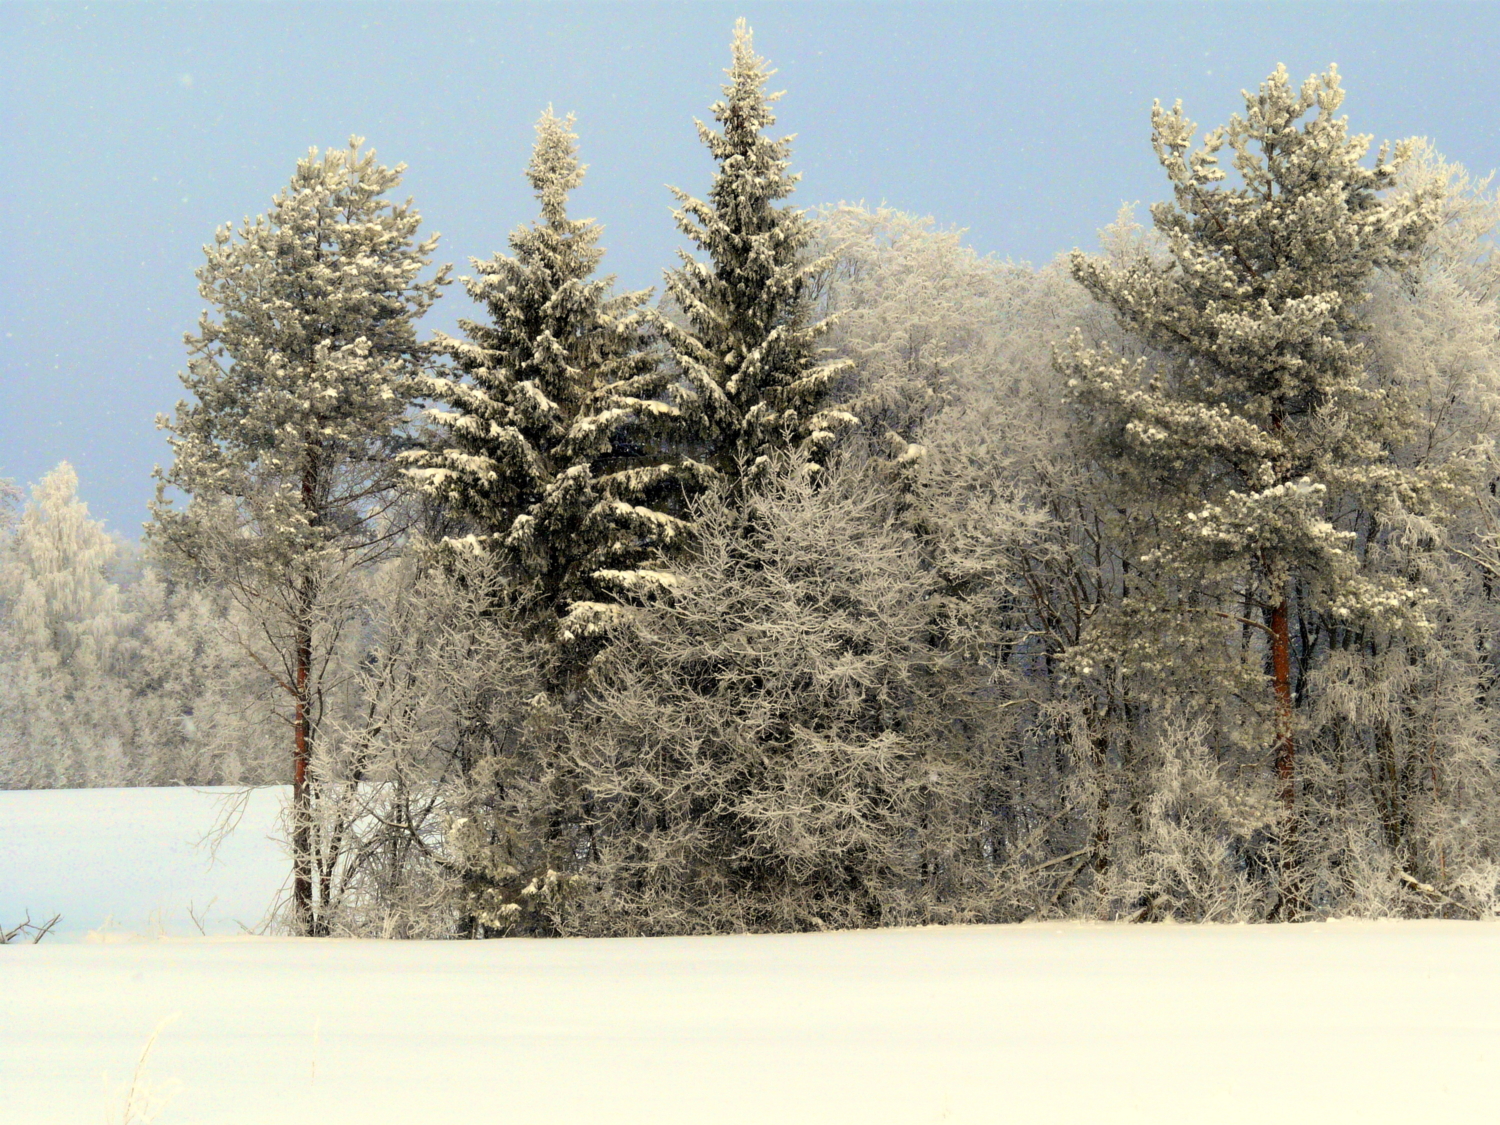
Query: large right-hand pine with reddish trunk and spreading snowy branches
{"type": "Point", "coordinates": [1259, 413]}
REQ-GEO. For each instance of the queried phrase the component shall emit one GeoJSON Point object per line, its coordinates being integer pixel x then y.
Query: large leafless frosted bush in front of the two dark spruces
{"type": "Point", "coordinates": [778, 748]}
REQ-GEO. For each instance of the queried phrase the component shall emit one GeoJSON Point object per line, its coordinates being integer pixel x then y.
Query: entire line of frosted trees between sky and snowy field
{"type": "Point", "coordinates": [857, 581]}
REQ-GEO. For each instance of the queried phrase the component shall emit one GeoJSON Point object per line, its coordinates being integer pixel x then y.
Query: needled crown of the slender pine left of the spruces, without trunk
{"type": "Point", "coordinates": [302, 371]}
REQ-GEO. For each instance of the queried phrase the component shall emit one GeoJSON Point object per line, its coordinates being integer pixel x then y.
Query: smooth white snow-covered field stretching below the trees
{"type": "Point", "coordinates": [1348, 1022]}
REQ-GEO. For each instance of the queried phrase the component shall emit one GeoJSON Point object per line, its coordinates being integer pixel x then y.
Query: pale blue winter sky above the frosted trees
{"type": "Point", "coordinates": [131, 131]}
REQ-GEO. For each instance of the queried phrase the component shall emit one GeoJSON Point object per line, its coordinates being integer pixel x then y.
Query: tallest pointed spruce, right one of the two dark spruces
{"type": "Point", "coordinates": [751, 377]}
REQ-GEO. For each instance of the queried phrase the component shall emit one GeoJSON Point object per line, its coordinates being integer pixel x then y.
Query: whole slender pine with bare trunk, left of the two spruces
{"type": "Point", "coordinates": [301, 382]}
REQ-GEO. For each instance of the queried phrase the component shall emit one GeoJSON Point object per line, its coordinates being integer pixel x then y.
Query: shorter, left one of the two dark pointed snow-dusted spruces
{"type": "Point", "coordinates": [547, 448]}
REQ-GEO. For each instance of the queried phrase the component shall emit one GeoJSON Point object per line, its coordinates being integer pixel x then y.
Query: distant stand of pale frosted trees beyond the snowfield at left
{"type": "Point", "coordinates": [109, 674]}
